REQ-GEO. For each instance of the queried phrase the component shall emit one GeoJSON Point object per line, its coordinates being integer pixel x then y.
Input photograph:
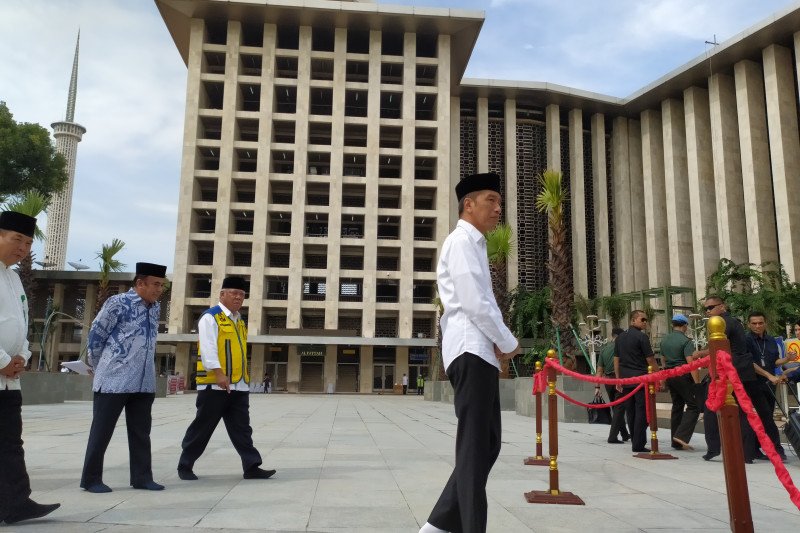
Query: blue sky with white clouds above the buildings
{"type": "Point", "coordinates": [132, 82]}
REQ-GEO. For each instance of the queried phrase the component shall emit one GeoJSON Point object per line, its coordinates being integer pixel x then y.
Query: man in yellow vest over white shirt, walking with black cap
{"type": "Point", "coordinates": [223, 385]}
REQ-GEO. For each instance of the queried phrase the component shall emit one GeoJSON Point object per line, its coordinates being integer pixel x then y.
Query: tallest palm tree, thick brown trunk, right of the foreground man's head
{"type": "Point", "coordinates": [551, 200]}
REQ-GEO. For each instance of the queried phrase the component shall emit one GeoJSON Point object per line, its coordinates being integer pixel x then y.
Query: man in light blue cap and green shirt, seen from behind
{"type": "Point", "coordinates": [677, 349]}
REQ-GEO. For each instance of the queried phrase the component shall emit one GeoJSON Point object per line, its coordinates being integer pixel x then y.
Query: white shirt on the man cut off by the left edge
{"type": "Point", "coordinates": [13, 323]}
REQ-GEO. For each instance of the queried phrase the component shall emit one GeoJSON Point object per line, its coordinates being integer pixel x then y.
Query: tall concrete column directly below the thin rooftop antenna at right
{"type": "Point", "coordinates": [727, 158]}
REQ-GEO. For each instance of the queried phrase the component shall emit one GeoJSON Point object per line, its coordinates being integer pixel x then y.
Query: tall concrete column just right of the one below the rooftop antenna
{"type": "Point", "coordinates": [762, 242]}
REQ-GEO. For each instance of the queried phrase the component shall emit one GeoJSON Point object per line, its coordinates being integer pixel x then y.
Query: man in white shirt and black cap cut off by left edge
{"type": "Point", "coordinates": [16, 237]}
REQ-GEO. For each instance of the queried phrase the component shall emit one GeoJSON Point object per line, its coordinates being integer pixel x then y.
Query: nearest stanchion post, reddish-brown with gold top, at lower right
{"type": "Point", "coordinates": [730, 432]}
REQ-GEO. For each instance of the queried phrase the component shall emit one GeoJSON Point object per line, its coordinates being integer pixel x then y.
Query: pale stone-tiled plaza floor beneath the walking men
{"type": "Point", "coordinates": [375, 464]}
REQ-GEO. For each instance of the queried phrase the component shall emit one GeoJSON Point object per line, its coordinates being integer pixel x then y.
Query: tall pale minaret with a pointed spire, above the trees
{"type": "Point", "coordinates": [68, 134]}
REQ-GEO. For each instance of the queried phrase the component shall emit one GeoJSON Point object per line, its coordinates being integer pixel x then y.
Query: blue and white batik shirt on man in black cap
{"type": "Point", "coordinates": [122, 345]}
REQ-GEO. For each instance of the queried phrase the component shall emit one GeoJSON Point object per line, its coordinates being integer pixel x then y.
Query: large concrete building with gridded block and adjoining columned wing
{"type": "Point", "coordinates": [323, 140]}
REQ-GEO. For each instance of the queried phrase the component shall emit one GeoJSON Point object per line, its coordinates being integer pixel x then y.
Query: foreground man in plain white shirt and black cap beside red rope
{"type": "Point", "coordinates": [474, 342]}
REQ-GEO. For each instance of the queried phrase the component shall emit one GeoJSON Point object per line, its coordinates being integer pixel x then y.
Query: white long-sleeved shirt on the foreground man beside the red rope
{"type": "Point", "coordinates": [471, 322]}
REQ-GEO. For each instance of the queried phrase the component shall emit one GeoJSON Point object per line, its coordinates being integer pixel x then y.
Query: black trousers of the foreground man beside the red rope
{"type": "Point", "coordinates": [462, 506]}
